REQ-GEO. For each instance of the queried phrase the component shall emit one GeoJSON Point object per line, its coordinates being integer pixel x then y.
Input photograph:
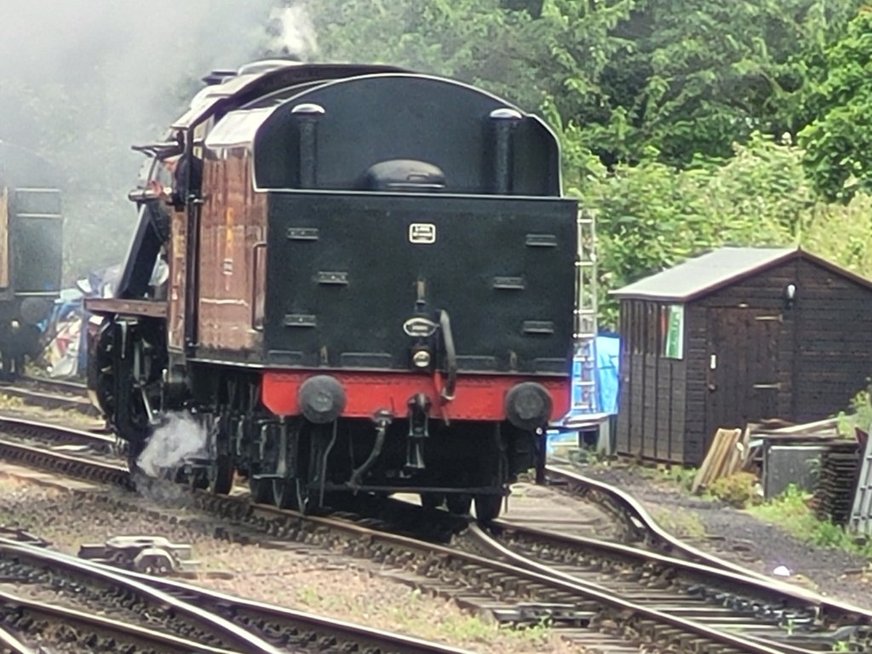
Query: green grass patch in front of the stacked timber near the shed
{"type": "Point", "coordinates": [791, 512]}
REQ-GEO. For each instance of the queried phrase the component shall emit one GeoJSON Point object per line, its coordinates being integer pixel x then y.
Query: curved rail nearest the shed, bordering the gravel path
{"type": "Point", "coordinates": [660, 539]}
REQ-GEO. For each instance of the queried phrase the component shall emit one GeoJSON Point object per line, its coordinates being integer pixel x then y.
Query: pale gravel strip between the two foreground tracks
{"type": "Point", "coordinates": [312, 582]}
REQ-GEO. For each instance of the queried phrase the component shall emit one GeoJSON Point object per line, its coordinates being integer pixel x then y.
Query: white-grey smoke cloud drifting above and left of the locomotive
{"type": "Point", "coordinates": [81, 81]}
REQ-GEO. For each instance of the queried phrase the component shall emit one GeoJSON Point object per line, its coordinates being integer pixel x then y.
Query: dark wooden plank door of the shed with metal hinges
{"type": "Point", "coordinates": [743, 367]}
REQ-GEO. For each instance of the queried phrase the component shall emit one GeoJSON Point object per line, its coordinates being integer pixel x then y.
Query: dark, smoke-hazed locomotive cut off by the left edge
{"type": "Point", "coordinates": [30, 251]}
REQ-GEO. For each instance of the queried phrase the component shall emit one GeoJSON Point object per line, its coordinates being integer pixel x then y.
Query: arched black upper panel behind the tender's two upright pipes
{"type": "Point", "coordinates": [378, 118]}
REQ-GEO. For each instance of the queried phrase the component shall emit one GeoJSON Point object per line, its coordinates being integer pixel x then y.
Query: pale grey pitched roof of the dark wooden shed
{"type": "Point", "coordinates": [706, 273]}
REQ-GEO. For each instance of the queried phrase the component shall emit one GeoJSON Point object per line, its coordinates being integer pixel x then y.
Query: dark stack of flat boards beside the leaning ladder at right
{"type": "Point", "coordinates": [837, 482]}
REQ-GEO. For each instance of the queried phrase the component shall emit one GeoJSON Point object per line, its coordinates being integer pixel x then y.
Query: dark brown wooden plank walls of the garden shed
{"type": "Point", "coordinates": [821, 346]}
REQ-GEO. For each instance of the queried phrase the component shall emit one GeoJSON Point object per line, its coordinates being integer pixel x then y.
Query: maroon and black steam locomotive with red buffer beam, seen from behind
{"type": "Point", "coordinates": [358, 280]}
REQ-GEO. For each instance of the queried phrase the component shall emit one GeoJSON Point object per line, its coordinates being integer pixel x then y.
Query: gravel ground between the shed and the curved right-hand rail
{"type": "Point", "coordinates": [739, 536]}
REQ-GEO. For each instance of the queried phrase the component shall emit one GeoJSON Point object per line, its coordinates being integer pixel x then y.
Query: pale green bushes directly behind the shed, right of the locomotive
{"type": "Point", "coordinates": [652, 216]}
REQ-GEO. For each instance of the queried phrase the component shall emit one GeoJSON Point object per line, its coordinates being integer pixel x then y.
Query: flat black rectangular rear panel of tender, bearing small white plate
{"type": "Point", "coordinates": [343, 276]}
